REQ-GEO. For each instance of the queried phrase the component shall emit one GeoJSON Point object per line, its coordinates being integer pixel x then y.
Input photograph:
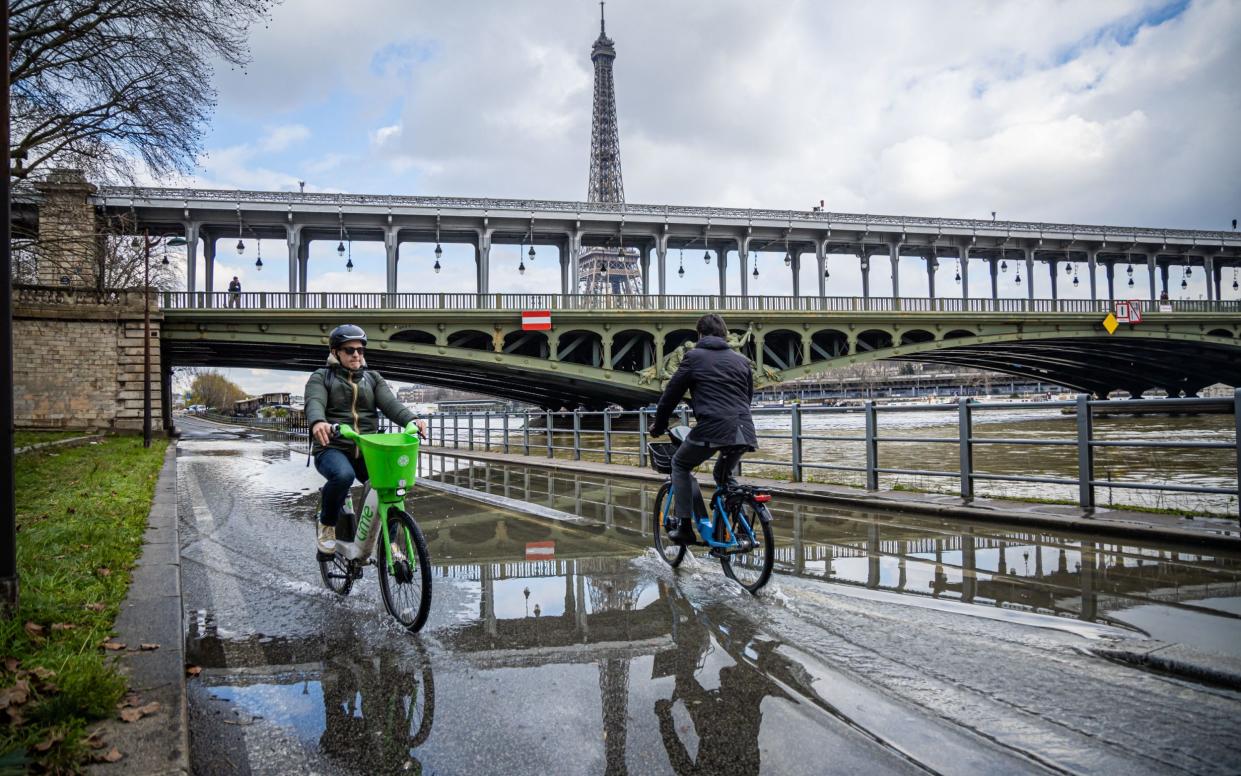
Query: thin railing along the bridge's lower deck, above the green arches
{"type": "Point", "coordinates": [367, 301]}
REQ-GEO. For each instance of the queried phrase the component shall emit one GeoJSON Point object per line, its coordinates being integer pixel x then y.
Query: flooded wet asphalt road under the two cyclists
{"type": "Point", "coordinates": [569, 647]}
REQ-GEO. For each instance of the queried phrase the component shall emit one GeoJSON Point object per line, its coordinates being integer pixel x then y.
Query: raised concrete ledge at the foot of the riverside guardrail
{"type": "Point", "coordinates": [1218, 532]}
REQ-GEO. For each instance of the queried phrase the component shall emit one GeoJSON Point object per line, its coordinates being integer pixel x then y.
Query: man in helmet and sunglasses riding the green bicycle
{"type": "Point", "coordinates": [346, 392]}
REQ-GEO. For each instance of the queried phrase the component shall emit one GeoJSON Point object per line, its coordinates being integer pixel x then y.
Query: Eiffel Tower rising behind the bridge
{"type": "Point", "coordinates": [611, 269]}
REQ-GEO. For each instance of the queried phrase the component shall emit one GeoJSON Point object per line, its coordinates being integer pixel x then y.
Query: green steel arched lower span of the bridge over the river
{"type": "Point", "coordinates": [612, 350]}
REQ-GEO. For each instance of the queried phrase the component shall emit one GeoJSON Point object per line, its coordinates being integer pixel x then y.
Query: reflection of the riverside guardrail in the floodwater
{"type": "Point", "coordinates": [1085, 577]}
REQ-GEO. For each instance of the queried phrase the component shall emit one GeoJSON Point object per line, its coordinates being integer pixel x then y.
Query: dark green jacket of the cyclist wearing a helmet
{"type": "Point", "coordinates": [354, 398]}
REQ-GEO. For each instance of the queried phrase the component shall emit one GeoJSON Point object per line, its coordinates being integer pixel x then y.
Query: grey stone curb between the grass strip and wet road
{"type": "Point", "coordinates": [152, 614]}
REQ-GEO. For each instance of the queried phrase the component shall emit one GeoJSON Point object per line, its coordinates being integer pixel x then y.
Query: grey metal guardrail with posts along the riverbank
{"type": "Point", "coordinates": [562, 435]}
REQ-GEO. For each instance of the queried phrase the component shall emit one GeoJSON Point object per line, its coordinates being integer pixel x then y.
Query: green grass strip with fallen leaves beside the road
{"type": "Point", "coordinates": [81, 518]}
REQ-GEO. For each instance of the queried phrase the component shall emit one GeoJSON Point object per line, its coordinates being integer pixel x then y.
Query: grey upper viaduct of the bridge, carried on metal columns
{"type": "Point", "coordinates": [725, 235]}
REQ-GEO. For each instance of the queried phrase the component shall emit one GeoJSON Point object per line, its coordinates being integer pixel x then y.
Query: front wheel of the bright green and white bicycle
{"type": "Point", "coordinates": [405, 572]}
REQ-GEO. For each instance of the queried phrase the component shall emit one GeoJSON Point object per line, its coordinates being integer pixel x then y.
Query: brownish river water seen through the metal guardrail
{"type": "Point", "coordinates": [1201, 467]}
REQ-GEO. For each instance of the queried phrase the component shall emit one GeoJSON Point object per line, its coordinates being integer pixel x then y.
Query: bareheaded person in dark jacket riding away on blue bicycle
{"type": "Point", "coordinates": [722, 386]}
